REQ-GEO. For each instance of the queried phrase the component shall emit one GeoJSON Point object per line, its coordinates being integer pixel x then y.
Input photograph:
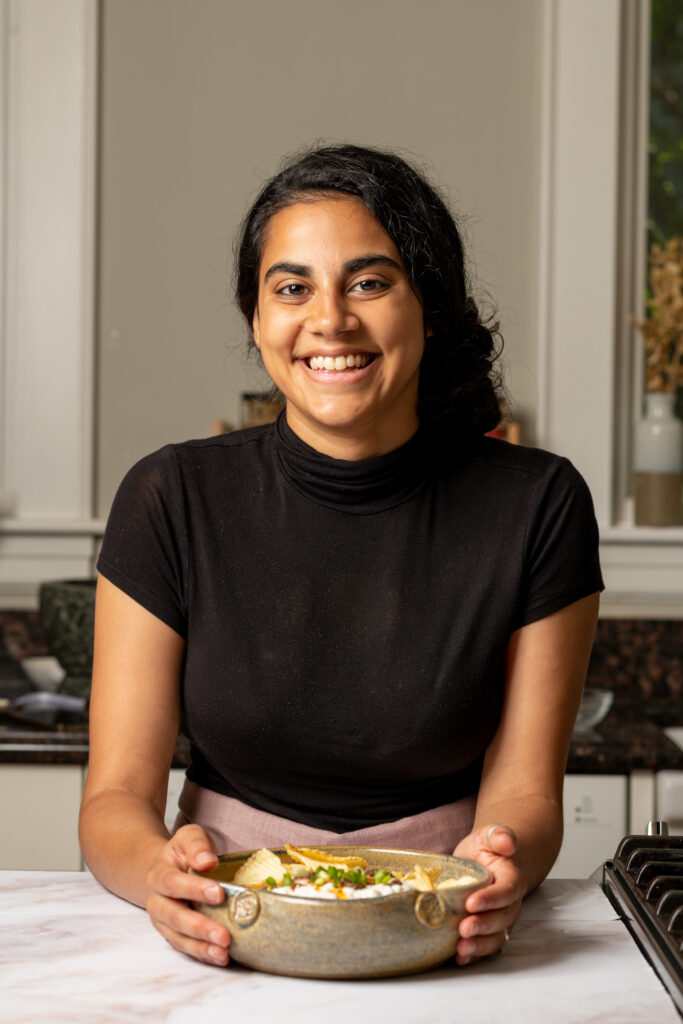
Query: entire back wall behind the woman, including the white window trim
{"type": "Point", "coordinates": [188, 108]}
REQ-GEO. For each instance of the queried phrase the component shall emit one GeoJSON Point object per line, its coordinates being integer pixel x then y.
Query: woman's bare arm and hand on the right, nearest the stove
{"type": "Point", "coordinates": [524, 772]}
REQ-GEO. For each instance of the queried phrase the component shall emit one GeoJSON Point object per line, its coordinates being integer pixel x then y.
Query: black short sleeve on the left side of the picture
{"type": "Point", "coordinates": [145, 550]}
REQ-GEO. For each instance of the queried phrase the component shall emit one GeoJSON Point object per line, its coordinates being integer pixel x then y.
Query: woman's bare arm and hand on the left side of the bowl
{"type": "Point", "coordinates": [135, 718]}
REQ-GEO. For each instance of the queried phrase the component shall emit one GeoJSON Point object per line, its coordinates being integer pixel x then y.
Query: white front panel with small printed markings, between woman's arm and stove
{"type": "Point", "coordinates": [595, 821]}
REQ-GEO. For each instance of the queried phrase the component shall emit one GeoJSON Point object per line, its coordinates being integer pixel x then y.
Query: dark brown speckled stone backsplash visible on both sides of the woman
{"type": "Point", "coordinates": [641, 660]}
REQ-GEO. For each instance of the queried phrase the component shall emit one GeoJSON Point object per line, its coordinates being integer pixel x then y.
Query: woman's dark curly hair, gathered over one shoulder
{"type": "Point", "coordinates": [458, 386]}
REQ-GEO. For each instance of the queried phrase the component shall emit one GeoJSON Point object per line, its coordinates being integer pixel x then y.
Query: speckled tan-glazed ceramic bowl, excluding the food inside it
{"type": "Point", "coordinates": [405, 933]}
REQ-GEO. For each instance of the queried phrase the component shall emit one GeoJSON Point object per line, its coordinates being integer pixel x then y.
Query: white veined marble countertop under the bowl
{"type": "Point", "coordinates": [71, 952]}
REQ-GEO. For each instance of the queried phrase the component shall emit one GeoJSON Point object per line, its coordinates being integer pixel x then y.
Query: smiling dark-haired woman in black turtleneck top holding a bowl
{"type": "Point", "coordinates": [372, 621]}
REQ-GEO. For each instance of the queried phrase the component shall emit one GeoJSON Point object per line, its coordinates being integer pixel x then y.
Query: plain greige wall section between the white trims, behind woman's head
{"type": "Point", "coordinates": [199, 103]}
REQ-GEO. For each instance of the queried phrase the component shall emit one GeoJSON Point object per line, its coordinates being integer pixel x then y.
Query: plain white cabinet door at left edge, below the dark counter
{"type": "Point", "coordinates": [40, 805]}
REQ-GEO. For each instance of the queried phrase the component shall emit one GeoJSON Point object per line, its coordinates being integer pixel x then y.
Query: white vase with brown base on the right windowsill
{"type": "Point", "coordinates": [659, 463]}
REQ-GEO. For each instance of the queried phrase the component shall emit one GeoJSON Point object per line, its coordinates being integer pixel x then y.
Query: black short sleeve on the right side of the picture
{"type": "Point", "coordinates": [562, 554]}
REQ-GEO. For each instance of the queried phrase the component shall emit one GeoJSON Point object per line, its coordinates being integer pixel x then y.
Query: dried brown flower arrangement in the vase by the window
{"type": "Point", "coordinates": [663, 329]}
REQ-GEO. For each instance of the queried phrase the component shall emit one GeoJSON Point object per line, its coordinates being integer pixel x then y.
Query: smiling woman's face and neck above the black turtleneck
{"type": "Point", "coordinates": [339, 328]}
